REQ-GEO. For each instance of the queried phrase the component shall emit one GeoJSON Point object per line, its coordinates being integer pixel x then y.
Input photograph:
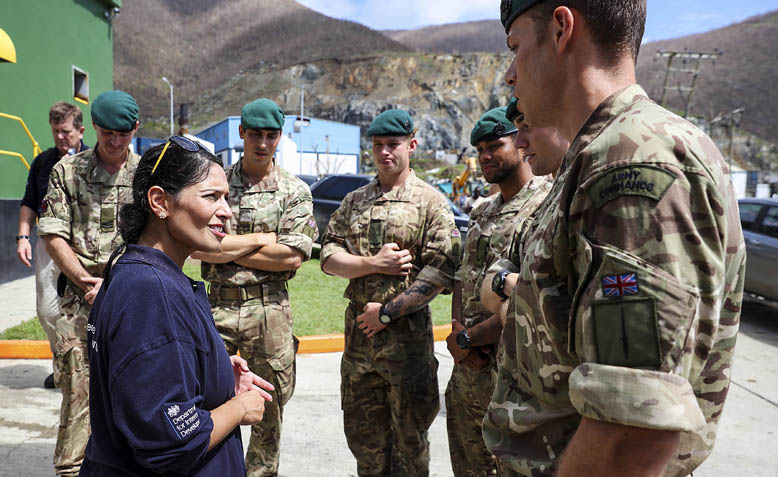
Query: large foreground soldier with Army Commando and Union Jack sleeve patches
{"type": "Point", "coordinates": [627, 303]}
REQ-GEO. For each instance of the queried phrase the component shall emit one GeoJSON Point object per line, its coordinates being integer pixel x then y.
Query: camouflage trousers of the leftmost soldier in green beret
{"type": "Point", "coordinates": [72, 377]}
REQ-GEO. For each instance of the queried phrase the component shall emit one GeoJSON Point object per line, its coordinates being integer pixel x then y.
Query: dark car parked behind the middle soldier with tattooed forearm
{"type": "Point", "coordinates": [330, 190]}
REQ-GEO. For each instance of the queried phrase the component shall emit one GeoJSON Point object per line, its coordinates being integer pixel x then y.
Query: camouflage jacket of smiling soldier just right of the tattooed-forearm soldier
{"type": "Point", "coordinates": [491, 235]}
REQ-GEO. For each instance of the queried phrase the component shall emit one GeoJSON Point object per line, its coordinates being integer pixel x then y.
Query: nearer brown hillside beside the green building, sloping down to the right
{"type": "Point", "coordinates": [201, 44]}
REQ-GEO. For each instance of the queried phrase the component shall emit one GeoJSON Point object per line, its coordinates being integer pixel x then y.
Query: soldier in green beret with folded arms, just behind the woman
{"type": "Point", "coordinates": [272, 219]}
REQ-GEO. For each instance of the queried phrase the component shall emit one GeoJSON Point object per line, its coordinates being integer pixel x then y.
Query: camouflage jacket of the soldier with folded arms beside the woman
{"type": "Point", "coordinates": [279, 203]}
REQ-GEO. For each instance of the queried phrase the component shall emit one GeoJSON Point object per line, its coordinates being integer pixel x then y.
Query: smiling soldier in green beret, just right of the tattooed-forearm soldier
{"type": "Point", "coordinates": [492, 234]}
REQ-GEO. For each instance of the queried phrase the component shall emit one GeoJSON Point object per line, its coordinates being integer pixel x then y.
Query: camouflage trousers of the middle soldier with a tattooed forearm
{"type": "Point", "coordinates": [389, 396]}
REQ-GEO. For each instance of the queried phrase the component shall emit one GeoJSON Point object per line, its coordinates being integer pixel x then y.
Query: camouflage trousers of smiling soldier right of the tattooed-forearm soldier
{"type": "Point", "coordinates": [467, 396]}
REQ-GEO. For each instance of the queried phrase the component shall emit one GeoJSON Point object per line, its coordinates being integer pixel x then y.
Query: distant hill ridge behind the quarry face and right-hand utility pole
{"type": "Point", "coordinates": [743, 76]}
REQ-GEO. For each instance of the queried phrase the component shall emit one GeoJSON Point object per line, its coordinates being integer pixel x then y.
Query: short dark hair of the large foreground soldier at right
{"type": "Point", "coordinates": [617, 26]}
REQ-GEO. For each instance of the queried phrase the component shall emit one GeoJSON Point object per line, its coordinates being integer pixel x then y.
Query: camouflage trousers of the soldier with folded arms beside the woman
{"type": "Point", "coordinates": [261, 329]}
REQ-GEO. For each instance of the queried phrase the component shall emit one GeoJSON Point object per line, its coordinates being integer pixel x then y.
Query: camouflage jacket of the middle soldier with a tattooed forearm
{"type": "Point", "coordinates": [415, 217]}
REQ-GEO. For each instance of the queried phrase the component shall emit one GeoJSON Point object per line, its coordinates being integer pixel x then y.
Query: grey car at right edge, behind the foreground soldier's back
{"type": "Point", "coordinates": [759, 218]}
